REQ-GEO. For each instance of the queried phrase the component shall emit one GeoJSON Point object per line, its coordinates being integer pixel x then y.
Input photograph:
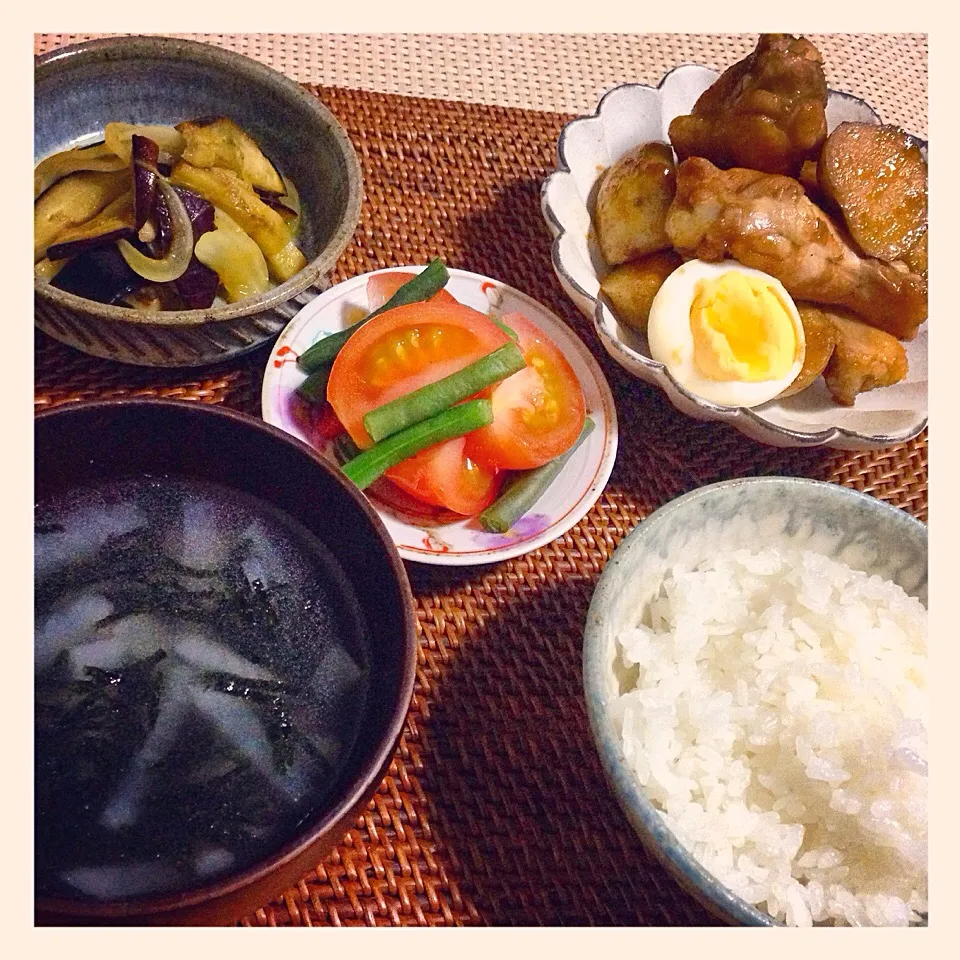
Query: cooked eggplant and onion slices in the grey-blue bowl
{"type": "Point", "coordinates": [165, 218]}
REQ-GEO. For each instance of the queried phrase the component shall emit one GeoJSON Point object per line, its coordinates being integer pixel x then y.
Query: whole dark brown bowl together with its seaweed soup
{"type": "Point", "coordinates": [224, 657]}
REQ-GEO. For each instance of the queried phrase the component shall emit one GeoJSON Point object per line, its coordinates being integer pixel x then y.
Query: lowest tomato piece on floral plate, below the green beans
{"type": "Point", "coordinates": [445, 476]}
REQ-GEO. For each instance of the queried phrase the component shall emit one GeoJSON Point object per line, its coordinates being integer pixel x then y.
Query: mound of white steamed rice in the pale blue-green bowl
{"type": "Point", "coordinates": [773, 707]}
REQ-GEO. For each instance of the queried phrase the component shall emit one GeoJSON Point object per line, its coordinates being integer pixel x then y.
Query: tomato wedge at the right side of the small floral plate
{"type": "Point", "coordinates": [538, 413]}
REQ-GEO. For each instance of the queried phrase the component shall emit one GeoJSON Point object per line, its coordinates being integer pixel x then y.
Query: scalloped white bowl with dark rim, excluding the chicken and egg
{"type": "Point", "coordinates": [632, 114]}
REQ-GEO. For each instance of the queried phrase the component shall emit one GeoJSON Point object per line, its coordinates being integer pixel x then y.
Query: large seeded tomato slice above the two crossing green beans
{"type": "Point", "coordinates": [402, 350]}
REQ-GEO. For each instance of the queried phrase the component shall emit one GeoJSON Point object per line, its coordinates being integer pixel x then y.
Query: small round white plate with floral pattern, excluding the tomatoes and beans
{"type": "Point", "coordinates": [444, 538]}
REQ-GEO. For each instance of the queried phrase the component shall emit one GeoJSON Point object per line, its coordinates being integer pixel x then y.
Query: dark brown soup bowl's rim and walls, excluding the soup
{"type": "Point", "coordinates": [115, 439]}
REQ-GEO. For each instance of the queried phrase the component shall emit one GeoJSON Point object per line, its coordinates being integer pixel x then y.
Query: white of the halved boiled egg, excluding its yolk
{"type": "Point", "coordinates": [671, 341]}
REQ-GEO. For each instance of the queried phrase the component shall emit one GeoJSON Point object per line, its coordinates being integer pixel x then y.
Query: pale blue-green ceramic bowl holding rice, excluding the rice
{"type": "Point", "coordinates": [857, 529]}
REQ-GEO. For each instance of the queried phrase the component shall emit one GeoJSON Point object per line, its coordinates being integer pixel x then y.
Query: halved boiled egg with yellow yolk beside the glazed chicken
{"type": "Point", "coordinates": [727, 333]}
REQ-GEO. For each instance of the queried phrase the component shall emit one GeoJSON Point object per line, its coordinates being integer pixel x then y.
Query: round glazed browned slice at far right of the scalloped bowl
{"type": "Point", "coordinates": [878, 178]}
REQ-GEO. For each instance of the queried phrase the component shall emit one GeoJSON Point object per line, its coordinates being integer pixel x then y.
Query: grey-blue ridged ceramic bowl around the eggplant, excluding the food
{"type": "Point", "coordinates": [79, 89]}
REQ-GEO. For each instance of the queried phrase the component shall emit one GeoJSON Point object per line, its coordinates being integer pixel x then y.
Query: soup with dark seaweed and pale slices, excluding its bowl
{"type": "Point", "coordinates": [185, 722]}
